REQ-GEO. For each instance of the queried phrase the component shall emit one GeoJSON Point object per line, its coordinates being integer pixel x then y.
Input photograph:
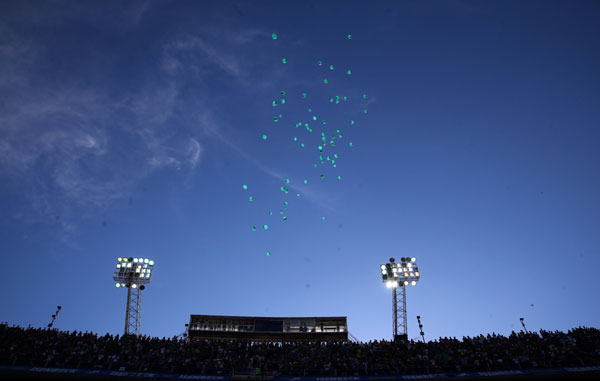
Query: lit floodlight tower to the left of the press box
{"type": "Point", "coordinates": [134, 274]}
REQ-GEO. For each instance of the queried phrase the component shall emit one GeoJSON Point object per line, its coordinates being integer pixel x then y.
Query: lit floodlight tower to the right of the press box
{"type": "Point", "coordinates": [397, 276]}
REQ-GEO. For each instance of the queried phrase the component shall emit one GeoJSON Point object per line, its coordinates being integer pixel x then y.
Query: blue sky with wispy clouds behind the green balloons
{"type": "Point", "coordinates": [129, 128]}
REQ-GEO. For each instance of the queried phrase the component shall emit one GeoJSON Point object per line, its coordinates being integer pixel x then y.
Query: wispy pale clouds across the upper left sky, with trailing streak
{"type": "Point", "coordinates": [79, 139]}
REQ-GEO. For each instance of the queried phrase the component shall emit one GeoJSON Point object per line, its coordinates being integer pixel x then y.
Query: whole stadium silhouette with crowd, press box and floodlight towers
{"type": "Point", "coordinates": [224, 348]}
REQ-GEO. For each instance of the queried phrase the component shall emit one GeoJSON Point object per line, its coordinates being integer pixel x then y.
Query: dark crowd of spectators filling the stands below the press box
{"type": "Point", "coordinates": [54, 348]}
